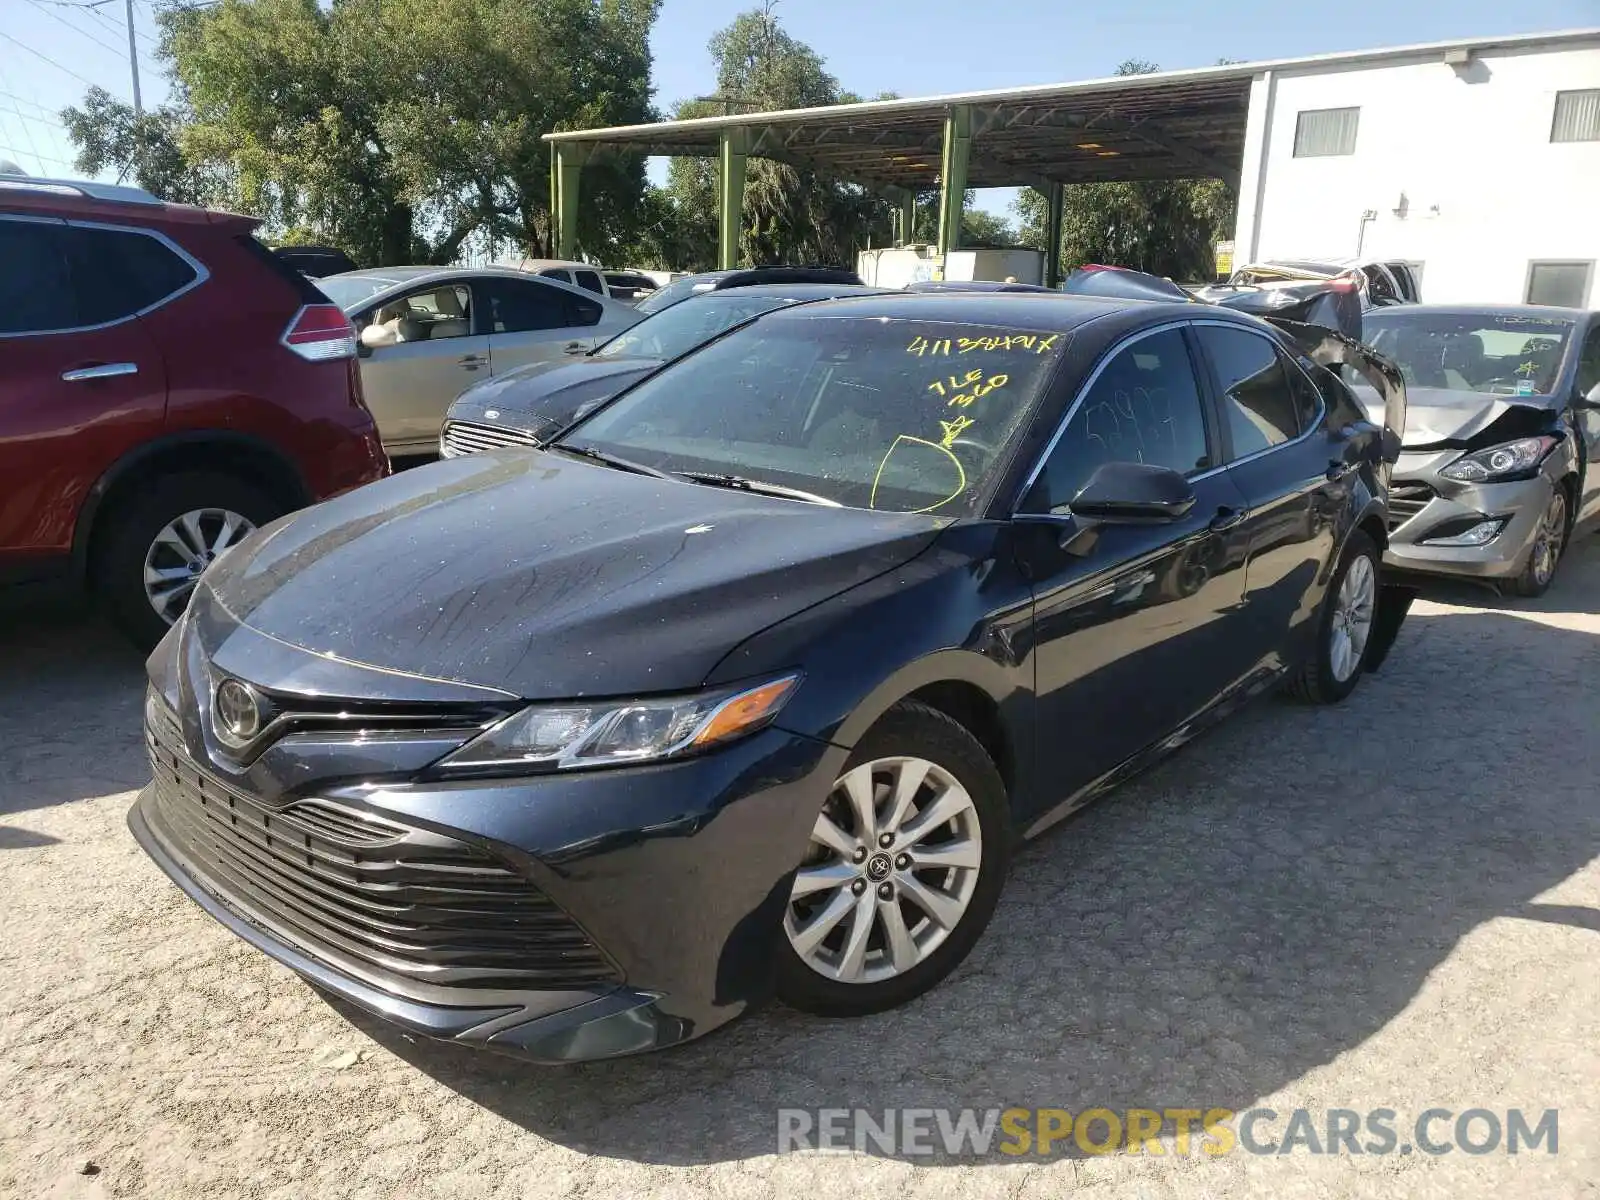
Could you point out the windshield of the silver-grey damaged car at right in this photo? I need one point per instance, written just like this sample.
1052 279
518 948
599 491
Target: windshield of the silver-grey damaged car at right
1502 354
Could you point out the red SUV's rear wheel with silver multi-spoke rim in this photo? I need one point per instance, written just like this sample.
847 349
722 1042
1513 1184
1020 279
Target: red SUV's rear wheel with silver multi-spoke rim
153 551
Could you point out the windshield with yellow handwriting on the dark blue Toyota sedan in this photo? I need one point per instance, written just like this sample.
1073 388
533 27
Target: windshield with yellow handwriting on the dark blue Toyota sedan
874 414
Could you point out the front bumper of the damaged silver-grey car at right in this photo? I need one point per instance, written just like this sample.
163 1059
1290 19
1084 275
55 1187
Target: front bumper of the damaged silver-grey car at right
1522 505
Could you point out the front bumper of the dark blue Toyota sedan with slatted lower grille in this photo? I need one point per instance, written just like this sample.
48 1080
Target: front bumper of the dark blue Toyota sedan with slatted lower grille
676 874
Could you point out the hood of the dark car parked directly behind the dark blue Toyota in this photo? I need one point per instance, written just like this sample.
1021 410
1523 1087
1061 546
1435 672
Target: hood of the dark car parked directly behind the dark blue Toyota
543 399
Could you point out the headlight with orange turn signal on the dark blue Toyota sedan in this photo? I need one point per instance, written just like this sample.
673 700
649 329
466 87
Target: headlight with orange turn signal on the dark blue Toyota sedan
623 732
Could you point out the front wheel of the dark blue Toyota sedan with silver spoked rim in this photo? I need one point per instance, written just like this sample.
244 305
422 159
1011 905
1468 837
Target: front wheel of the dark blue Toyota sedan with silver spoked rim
962 780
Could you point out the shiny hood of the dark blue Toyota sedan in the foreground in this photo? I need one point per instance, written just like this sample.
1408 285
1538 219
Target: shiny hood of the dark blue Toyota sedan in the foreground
545 577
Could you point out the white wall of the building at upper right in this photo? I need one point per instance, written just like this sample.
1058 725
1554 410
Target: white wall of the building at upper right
1470 151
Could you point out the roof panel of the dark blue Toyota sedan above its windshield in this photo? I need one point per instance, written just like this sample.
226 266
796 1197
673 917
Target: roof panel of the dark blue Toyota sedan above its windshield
1022 310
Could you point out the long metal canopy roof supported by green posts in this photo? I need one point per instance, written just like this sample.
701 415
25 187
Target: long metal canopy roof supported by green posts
1162 126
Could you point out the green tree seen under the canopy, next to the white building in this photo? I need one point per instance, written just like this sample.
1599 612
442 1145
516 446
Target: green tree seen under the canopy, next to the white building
1169 228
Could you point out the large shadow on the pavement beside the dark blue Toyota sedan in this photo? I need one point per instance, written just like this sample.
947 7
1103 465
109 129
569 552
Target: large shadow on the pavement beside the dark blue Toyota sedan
1257 906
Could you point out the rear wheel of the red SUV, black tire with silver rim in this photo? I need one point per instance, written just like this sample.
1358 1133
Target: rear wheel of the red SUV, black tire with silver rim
121 551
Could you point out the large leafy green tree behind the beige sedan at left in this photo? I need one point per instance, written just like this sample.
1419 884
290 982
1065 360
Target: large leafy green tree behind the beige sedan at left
394 129
